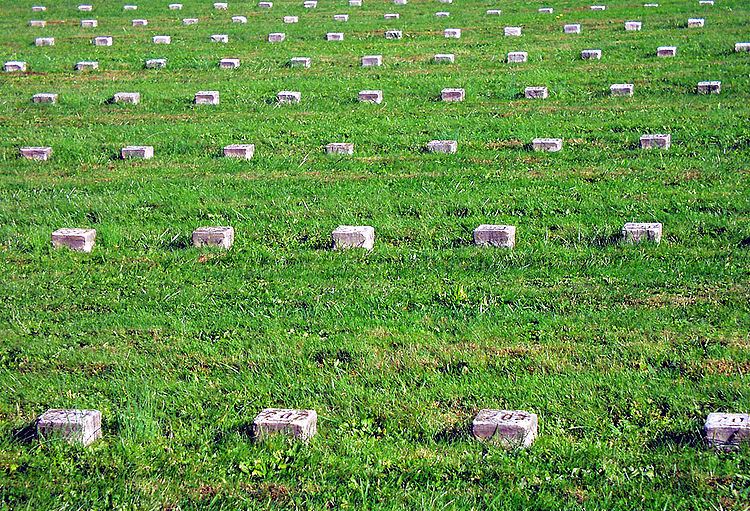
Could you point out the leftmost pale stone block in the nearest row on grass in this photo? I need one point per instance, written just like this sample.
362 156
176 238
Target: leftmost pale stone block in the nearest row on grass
73 426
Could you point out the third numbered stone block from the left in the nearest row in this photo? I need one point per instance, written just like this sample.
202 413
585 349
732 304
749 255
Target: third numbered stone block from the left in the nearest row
511 428
